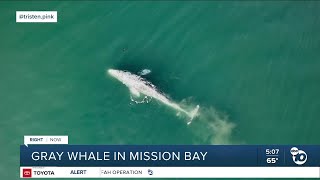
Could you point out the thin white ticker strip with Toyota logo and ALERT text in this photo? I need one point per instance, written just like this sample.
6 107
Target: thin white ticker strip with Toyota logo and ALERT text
169 172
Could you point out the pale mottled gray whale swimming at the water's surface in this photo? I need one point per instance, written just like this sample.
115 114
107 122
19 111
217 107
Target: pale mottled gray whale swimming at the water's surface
138 85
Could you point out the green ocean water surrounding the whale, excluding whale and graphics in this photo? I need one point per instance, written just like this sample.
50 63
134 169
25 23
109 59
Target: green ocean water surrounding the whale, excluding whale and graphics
253 67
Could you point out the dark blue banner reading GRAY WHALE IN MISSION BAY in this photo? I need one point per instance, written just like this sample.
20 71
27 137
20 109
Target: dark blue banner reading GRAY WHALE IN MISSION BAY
170 155
